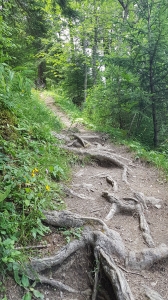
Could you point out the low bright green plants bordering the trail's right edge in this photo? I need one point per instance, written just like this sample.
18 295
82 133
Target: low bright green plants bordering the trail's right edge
92 117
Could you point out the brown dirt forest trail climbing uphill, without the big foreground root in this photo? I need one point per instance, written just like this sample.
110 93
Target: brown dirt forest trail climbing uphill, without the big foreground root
84 197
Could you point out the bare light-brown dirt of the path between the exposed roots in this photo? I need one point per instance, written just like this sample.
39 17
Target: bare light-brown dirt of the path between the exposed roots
86 199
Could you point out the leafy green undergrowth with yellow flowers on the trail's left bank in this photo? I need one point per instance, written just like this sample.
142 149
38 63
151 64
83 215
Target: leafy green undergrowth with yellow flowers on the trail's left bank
31 169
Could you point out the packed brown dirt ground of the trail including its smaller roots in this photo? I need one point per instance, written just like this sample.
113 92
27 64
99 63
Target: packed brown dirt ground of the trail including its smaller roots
112 189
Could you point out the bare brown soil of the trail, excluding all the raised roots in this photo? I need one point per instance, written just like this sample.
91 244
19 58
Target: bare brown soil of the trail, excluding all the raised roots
84 197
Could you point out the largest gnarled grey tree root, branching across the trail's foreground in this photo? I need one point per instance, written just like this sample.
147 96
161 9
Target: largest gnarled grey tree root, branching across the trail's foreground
108 248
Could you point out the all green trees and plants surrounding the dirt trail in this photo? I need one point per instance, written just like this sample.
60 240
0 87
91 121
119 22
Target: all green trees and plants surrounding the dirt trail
108 60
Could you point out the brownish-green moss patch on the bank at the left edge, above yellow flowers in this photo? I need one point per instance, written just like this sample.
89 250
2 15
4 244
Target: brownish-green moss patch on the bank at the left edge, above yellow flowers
7 123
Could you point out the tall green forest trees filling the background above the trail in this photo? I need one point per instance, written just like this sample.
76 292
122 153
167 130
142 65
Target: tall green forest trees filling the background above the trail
109 57
